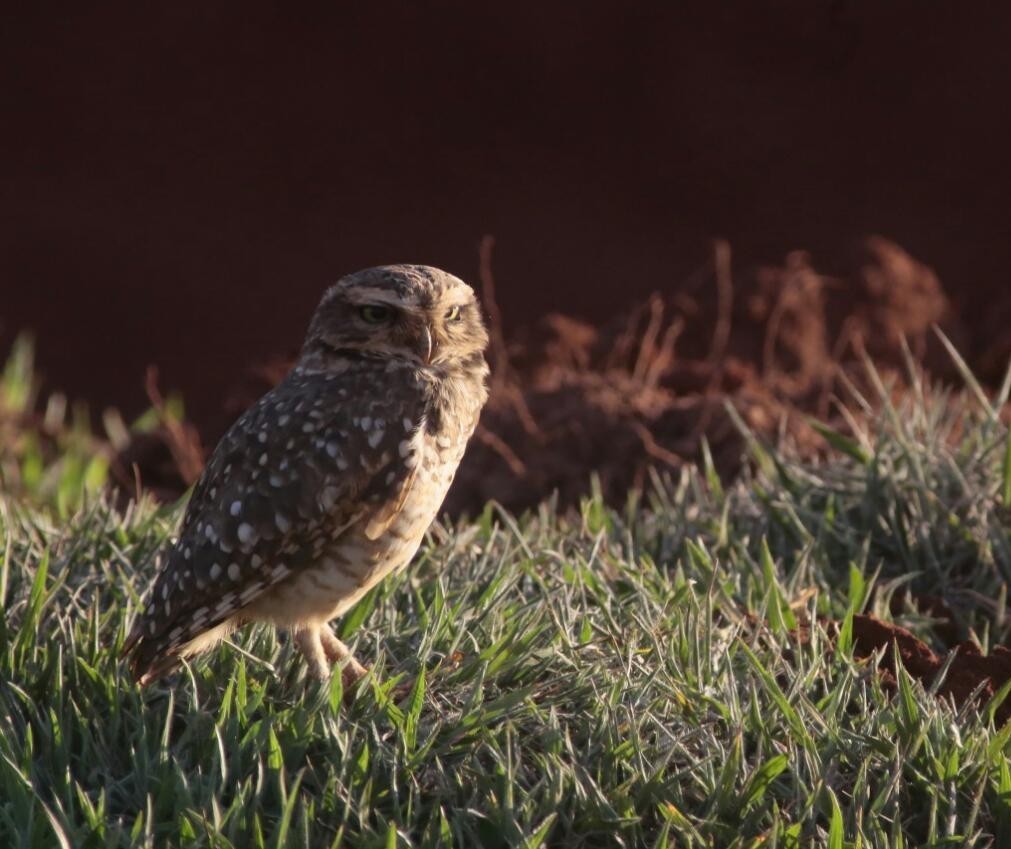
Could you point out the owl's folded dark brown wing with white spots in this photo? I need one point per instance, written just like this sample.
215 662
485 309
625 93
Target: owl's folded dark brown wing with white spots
319 453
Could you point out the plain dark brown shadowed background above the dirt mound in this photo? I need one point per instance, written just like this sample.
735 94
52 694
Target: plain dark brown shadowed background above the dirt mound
179 186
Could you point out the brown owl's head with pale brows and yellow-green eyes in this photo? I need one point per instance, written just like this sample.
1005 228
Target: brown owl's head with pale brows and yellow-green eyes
411 313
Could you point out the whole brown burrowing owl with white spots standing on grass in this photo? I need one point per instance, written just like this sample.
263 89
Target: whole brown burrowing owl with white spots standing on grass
328 484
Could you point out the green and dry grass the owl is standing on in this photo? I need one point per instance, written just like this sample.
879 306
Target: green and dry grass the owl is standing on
595 679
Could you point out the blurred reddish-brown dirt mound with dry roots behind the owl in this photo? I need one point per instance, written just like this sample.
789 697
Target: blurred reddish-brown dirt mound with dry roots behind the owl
570 400
